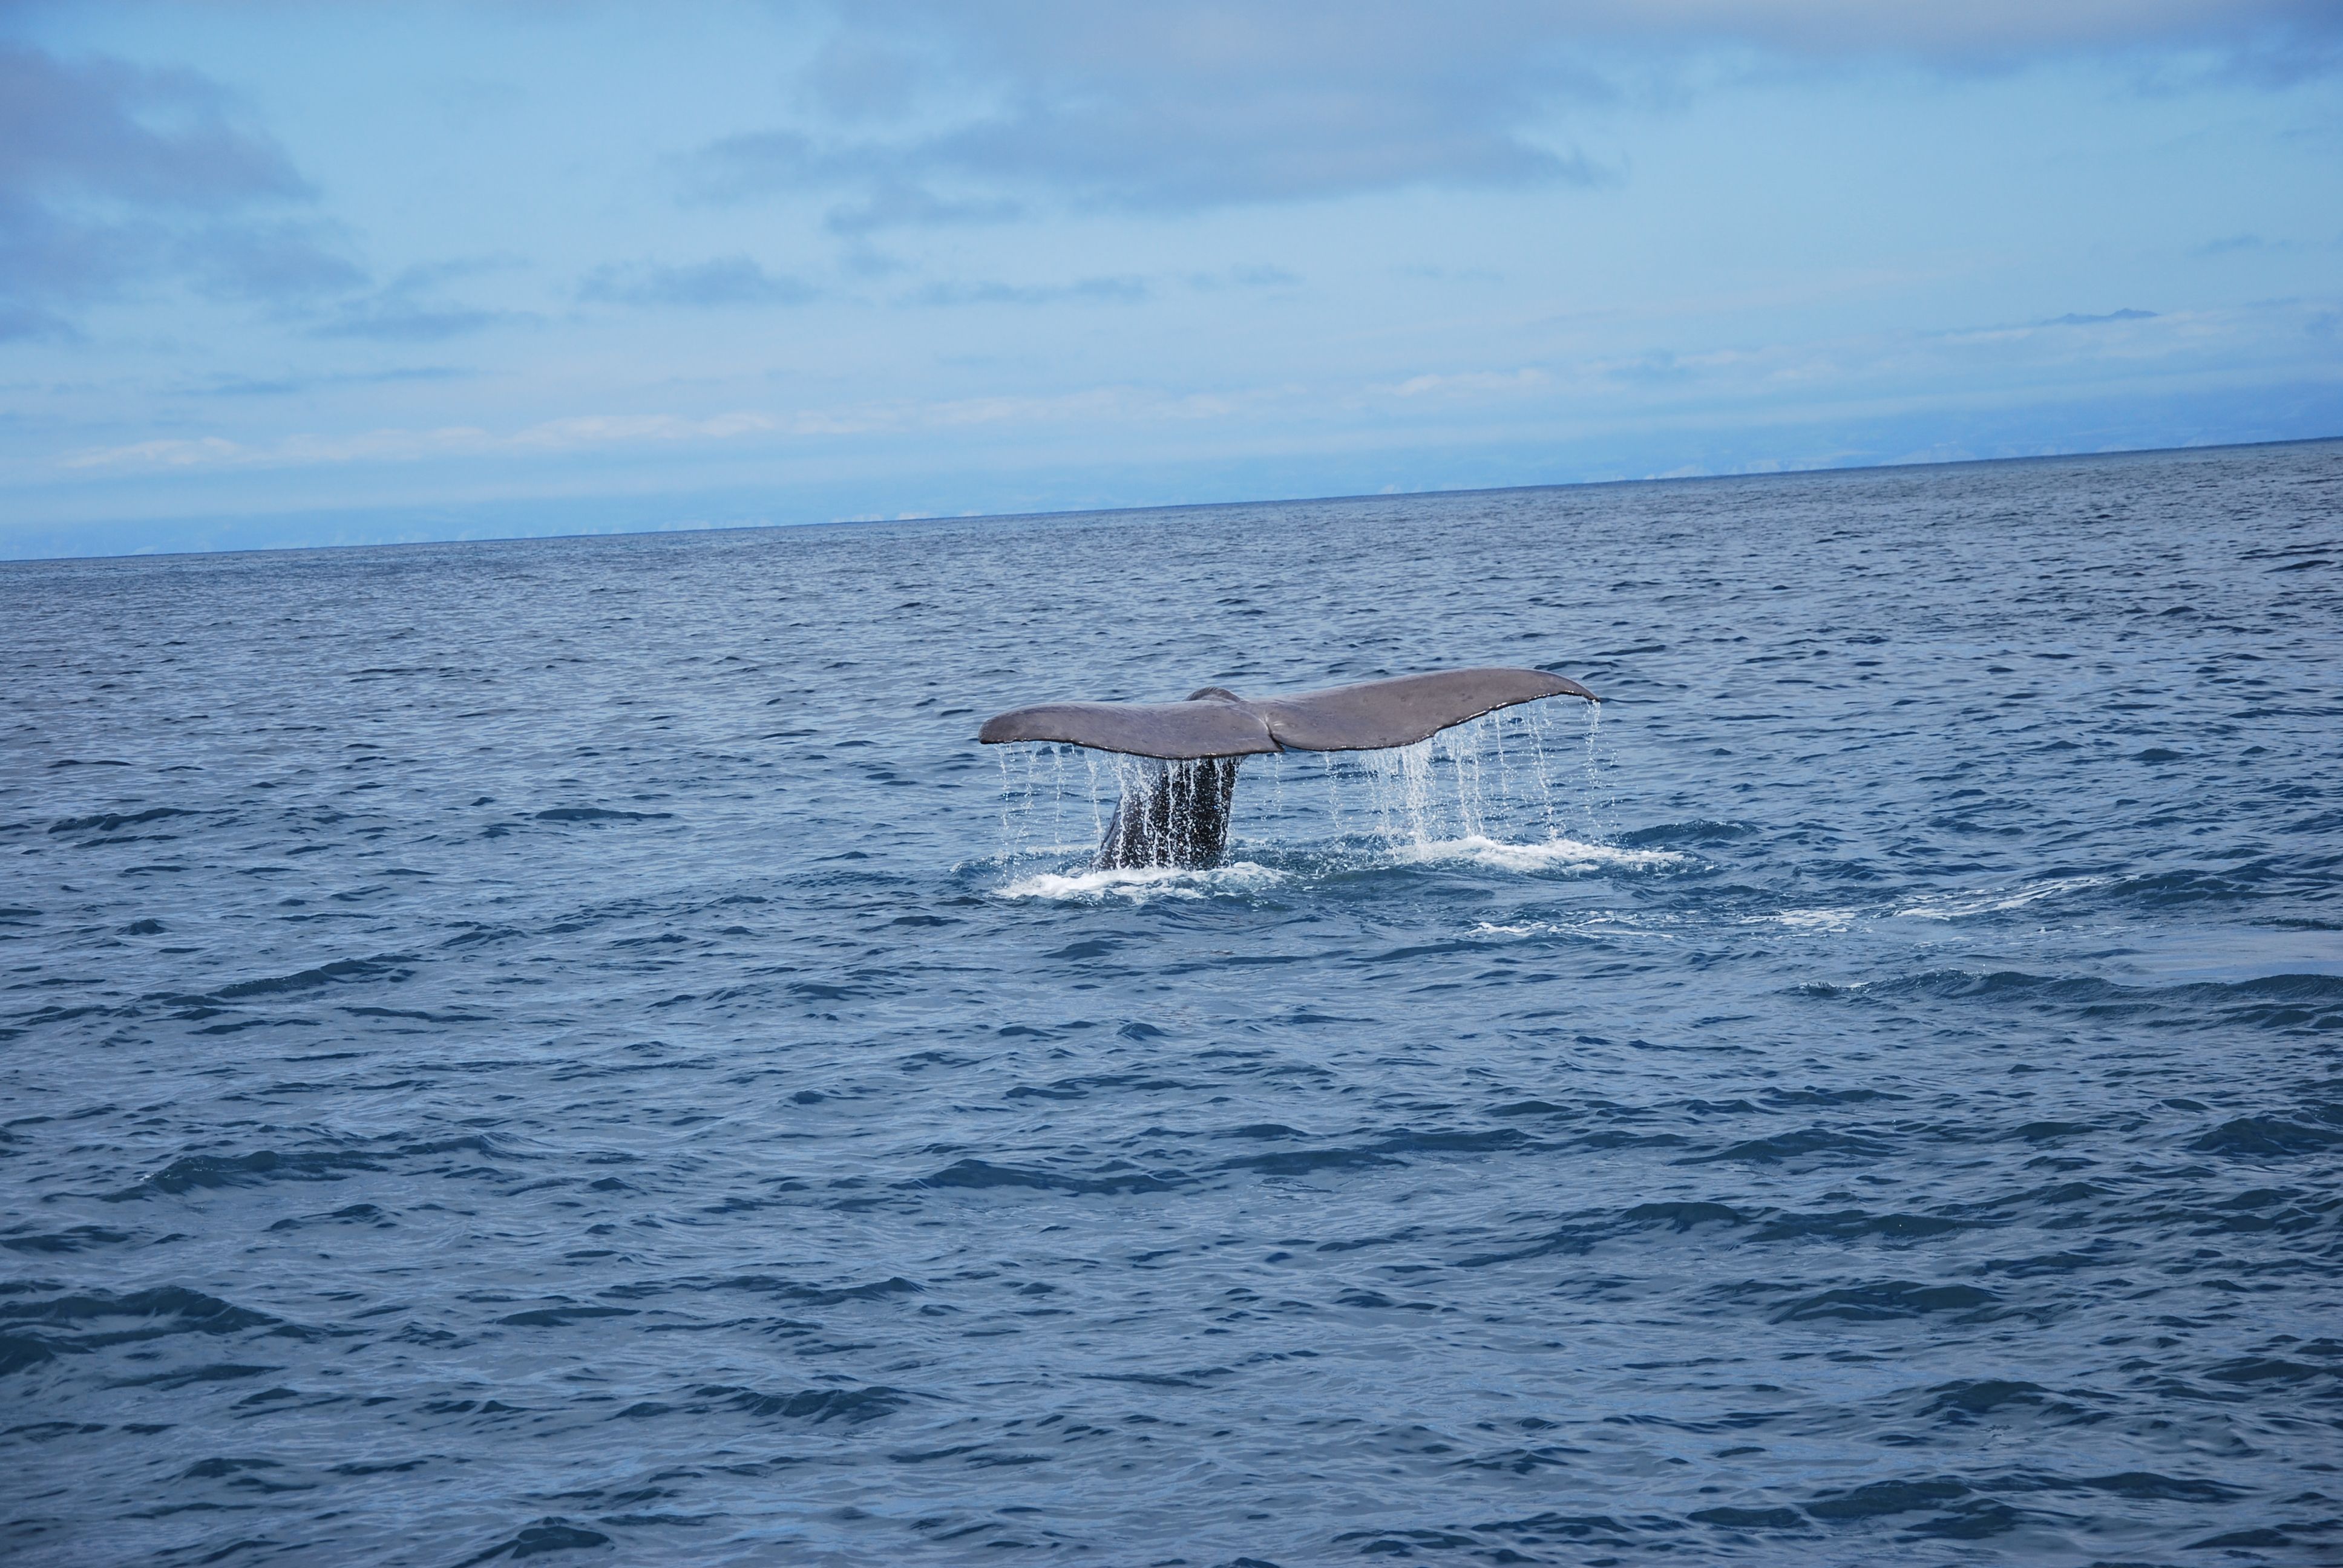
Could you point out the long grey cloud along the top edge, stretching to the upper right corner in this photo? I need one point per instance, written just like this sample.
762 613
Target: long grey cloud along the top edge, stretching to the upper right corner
988 111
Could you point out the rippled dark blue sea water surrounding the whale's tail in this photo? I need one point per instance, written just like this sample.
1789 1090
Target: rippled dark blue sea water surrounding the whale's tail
571 1049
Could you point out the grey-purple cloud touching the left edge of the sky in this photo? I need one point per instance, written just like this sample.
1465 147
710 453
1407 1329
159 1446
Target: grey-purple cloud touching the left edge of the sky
114 177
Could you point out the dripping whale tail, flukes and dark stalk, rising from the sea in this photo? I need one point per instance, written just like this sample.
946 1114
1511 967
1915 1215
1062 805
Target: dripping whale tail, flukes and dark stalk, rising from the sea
1180 812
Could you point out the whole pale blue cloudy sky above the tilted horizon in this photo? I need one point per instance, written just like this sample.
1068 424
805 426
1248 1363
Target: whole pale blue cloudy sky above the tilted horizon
280 275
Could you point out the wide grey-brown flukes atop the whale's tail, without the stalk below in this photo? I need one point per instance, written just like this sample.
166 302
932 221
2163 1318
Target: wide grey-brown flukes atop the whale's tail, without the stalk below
1217 723
